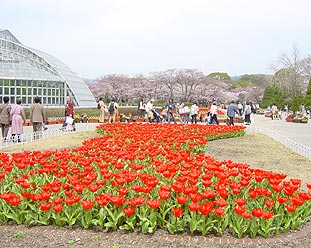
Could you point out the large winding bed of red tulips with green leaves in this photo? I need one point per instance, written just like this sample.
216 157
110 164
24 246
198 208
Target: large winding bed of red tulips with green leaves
149 176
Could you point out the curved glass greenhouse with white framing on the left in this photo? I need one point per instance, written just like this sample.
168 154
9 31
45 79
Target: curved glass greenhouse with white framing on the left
26 72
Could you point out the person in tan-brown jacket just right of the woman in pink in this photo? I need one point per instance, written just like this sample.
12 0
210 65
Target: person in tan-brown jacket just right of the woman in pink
37 117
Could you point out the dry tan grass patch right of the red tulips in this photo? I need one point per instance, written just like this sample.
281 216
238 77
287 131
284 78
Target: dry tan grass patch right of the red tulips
262 152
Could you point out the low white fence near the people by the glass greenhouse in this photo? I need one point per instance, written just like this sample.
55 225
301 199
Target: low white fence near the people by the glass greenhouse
51 132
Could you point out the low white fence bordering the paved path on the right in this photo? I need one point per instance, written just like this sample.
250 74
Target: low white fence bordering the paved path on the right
301 149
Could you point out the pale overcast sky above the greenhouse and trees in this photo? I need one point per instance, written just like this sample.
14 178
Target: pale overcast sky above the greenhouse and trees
99 37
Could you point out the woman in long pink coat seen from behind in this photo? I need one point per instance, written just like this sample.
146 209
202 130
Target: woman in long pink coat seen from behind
18 117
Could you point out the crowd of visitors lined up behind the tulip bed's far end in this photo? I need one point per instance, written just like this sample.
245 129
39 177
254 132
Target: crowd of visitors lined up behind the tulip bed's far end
185 114
